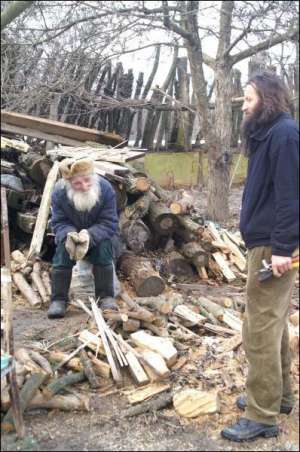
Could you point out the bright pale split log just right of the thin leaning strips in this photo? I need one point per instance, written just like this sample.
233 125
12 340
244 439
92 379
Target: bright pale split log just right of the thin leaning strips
162 346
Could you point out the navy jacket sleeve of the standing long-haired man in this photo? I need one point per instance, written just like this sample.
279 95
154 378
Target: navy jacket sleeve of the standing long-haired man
285 173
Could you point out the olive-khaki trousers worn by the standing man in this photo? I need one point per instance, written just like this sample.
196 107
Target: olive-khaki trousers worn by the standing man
266 340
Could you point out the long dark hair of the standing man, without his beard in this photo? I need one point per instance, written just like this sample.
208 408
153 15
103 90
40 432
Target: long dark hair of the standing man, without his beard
274 95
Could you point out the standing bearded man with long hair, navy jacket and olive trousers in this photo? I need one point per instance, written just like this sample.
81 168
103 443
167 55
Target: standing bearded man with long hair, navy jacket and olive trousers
269 225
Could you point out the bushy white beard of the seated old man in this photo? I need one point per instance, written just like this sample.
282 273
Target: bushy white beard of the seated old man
84 201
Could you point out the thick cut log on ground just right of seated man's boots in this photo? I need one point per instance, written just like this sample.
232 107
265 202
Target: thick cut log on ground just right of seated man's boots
143 277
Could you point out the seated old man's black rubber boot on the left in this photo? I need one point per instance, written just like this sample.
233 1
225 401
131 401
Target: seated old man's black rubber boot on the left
60 285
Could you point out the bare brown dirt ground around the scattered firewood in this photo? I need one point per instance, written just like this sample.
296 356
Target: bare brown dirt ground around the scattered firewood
102 429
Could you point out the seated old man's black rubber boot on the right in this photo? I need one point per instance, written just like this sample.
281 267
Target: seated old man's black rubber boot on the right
104 286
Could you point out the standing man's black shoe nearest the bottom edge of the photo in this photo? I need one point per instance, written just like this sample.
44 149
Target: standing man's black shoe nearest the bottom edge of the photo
246 430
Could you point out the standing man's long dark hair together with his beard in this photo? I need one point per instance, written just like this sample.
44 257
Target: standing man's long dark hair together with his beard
274 99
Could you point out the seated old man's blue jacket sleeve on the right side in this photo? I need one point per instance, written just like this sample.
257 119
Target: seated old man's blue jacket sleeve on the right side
107 222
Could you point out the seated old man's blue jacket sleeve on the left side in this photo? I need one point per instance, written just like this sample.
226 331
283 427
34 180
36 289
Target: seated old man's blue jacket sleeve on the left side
60 224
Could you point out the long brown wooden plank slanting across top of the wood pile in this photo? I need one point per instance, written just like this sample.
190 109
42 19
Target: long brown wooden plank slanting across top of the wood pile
51 126
